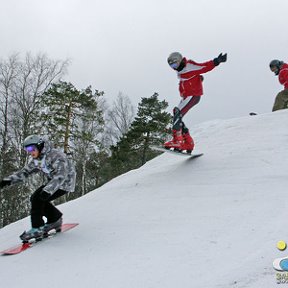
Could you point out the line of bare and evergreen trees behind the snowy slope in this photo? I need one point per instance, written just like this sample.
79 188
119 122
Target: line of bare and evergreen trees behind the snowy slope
103 141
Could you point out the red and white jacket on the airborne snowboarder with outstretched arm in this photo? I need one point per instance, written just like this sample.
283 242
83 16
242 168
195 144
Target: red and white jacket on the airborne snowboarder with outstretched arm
190 77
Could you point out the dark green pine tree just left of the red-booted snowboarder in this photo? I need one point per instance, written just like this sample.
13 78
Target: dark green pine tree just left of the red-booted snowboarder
149 127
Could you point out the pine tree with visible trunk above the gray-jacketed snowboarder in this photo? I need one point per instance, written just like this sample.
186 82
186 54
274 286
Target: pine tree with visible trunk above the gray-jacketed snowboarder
64 108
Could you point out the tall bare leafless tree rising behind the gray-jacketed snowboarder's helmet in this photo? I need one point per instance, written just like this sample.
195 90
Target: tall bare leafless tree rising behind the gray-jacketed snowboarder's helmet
34 77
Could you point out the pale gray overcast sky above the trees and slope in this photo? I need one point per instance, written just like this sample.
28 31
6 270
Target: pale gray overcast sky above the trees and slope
122 46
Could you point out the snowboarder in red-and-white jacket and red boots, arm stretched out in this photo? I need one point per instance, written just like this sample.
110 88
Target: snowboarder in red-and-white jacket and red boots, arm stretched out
190 88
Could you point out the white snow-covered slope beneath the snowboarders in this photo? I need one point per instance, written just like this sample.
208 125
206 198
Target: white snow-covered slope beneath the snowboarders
209 222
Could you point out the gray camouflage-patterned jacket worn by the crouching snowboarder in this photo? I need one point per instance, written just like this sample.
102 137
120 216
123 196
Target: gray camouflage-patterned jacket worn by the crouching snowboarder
59 170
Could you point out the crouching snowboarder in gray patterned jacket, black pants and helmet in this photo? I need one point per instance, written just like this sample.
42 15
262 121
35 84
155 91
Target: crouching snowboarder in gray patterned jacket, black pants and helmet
60 174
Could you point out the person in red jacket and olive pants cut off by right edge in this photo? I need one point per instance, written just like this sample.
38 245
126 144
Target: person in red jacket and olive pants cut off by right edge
280 69
